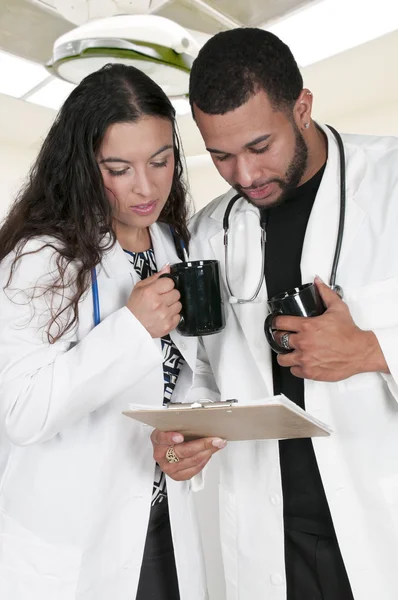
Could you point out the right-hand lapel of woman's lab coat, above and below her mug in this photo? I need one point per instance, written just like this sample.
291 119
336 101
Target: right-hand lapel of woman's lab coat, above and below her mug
165 252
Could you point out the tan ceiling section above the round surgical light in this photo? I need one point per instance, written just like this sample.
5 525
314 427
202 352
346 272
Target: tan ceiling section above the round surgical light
28 28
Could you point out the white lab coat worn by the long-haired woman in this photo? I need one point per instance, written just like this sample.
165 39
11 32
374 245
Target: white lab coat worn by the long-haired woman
76 475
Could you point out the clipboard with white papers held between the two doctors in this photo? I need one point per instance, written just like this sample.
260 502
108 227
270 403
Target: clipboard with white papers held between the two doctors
276 417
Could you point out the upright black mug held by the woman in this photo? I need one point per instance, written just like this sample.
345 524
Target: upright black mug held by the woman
202 307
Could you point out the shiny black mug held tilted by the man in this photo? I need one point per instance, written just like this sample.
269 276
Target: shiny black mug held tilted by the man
302 301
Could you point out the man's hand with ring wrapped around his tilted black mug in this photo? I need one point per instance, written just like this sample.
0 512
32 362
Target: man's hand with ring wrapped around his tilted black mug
329 347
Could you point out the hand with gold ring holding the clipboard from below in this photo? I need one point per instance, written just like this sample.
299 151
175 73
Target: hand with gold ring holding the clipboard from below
193 456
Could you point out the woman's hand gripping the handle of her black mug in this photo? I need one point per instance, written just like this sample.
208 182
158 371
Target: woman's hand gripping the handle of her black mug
156 304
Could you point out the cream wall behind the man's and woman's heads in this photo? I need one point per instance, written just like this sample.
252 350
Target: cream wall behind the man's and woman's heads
356 80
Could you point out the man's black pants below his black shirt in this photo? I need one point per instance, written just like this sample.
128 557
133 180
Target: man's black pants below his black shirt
314 568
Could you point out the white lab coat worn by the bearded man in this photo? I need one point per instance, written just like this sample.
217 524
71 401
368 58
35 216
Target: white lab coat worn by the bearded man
359 461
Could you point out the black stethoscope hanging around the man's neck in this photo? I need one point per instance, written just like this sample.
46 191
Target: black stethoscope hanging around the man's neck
332 282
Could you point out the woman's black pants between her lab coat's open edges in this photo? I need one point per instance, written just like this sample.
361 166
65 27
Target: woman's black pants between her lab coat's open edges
158 577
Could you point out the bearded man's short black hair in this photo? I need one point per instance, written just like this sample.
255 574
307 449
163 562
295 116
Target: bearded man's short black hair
233 65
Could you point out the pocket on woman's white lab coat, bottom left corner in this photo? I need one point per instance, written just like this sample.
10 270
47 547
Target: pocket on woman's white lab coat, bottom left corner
31 569
